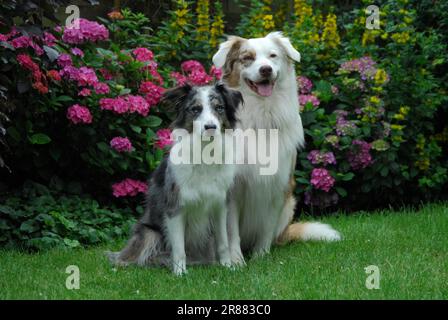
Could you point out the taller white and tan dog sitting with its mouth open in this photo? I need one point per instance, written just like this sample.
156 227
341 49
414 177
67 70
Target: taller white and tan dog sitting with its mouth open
261 207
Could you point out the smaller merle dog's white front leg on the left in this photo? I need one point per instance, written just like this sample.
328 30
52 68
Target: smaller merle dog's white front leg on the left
176 234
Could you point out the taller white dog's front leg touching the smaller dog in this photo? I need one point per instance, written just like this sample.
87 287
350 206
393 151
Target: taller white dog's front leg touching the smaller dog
233 224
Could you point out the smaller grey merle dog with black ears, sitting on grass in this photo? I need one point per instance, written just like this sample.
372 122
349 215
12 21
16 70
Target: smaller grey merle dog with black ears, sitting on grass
185 216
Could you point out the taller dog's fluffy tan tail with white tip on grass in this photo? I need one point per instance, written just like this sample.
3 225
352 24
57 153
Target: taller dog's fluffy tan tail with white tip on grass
306 231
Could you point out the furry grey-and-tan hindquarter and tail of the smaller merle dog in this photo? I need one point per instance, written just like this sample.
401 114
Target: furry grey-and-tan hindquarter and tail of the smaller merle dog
142 249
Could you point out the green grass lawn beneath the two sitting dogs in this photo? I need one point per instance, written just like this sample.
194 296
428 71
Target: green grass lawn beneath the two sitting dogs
410 249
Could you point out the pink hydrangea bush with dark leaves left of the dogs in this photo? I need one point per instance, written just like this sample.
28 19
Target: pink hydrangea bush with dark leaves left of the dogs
100 102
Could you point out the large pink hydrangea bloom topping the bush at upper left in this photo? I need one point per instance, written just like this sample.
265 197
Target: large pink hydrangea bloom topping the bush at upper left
83 30
